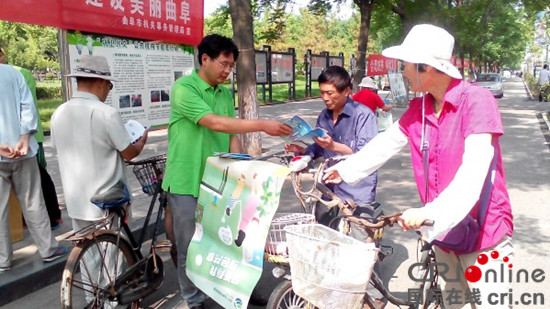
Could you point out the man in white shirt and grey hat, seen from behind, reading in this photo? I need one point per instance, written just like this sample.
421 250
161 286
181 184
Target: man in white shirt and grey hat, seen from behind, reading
91 141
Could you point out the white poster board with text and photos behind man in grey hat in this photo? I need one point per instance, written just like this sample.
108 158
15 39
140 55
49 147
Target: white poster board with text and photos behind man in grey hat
145 72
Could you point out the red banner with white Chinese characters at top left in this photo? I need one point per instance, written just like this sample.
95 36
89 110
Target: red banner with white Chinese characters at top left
176 21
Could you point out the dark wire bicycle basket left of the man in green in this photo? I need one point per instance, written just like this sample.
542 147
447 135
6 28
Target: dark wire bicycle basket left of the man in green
149 171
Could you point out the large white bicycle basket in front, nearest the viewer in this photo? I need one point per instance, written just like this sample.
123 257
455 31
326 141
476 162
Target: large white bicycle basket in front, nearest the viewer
329 269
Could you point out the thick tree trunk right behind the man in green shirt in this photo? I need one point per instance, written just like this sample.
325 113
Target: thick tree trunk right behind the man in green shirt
241 19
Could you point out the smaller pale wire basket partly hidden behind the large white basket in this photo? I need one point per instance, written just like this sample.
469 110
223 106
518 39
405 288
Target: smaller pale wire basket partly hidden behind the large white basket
276 239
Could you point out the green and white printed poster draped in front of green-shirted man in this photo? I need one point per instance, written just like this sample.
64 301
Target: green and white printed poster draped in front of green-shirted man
236 204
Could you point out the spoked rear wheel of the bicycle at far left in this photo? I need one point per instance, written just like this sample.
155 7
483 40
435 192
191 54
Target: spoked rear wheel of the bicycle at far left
92 268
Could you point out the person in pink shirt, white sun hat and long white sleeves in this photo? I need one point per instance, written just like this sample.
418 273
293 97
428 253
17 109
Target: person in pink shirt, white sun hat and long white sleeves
453 132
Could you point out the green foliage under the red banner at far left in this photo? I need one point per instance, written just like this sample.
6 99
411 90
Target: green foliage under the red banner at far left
29 46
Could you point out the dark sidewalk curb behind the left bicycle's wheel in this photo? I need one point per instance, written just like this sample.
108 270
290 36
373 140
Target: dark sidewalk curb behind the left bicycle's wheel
36 275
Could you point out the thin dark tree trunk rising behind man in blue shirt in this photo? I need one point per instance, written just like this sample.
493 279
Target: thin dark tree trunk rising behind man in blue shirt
365 9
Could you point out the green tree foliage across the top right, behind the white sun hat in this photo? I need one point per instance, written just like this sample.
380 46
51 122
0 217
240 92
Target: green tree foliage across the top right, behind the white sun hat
492 33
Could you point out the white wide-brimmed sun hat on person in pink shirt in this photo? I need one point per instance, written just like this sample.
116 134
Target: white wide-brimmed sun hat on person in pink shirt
429 45
